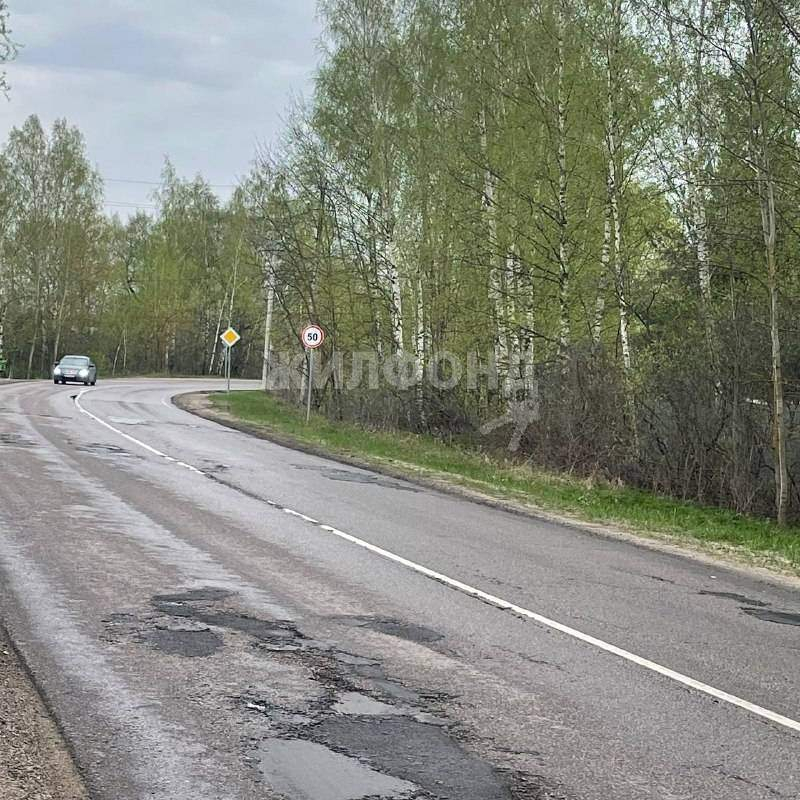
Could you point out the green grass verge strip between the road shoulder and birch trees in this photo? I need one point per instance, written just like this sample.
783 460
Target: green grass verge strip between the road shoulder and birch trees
752 539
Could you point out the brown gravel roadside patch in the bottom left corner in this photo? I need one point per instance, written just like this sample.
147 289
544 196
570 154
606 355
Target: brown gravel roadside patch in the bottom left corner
34 761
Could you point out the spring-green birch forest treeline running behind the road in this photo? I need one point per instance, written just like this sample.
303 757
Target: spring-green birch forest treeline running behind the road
598 198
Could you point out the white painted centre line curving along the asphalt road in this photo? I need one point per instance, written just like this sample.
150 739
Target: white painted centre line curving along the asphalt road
491 599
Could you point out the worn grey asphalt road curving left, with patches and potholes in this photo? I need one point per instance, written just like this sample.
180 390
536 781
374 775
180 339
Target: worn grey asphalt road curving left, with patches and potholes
205 618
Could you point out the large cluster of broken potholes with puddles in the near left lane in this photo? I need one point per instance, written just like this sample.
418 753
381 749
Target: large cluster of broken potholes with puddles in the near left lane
359 734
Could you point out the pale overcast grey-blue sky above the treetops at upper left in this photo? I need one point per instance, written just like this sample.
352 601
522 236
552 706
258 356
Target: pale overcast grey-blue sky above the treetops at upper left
202 81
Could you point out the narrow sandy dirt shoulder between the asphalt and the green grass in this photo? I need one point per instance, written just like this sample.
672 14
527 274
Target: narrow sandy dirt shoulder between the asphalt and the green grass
714 555
